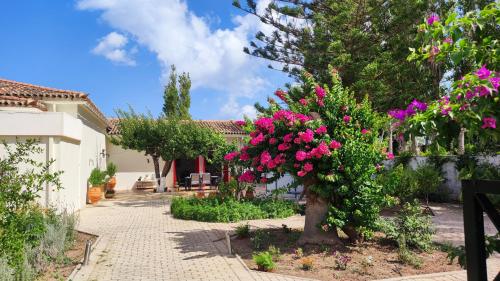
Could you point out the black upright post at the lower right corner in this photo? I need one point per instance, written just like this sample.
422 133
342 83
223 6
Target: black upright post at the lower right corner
474 234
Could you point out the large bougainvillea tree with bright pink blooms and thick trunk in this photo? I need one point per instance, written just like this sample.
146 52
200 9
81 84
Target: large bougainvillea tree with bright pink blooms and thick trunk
329 143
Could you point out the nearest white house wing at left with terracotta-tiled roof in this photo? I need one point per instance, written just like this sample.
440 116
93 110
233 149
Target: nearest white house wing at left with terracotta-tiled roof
70 128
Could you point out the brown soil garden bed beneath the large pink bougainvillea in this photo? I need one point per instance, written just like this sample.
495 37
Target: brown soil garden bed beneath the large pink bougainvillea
371 260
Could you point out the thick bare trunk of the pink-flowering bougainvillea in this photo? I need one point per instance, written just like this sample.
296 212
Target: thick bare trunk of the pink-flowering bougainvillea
316 210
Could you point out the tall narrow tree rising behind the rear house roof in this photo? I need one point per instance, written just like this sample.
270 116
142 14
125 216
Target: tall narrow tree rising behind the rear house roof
177 100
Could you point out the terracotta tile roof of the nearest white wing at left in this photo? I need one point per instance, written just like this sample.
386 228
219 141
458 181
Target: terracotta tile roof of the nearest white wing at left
10 90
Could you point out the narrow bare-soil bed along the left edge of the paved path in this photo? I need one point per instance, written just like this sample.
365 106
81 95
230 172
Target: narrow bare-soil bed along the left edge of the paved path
61 270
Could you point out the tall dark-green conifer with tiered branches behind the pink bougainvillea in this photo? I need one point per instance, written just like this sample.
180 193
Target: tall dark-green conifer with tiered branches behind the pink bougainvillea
367 41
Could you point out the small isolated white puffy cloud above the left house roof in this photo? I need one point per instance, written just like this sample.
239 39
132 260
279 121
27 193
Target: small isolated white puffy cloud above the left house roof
112 46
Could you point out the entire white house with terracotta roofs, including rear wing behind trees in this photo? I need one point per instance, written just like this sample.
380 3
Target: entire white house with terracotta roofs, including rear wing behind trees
75 133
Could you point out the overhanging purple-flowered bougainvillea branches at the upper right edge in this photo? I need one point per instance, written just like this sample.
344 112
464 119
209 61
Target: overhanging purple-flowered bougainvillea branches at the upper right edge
472 102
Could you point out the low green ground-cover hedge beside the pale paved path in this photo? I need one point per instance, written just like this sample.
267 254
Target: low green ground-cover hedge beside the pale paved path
230 210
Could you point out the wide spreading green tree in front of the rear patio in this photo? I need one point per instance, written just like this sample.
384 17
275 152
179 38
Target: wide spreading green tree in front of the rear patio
167 139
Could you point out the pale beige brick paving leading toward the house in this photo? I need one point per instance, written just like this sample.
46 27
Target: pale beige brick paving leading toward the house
139 240
